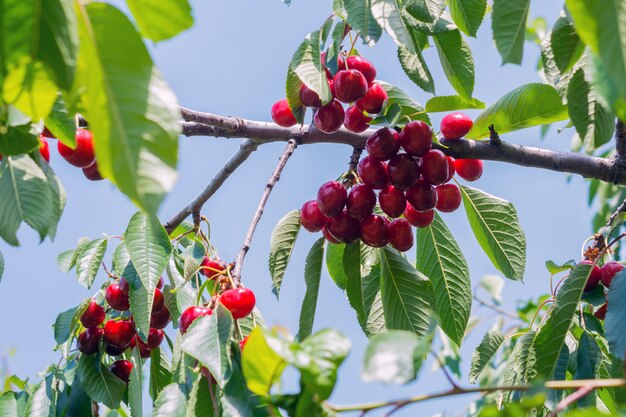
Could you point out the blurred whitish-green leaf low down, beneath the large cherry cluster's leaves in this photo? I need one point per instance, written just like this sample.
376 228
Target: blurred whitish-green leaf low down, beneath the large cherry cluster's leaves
394 357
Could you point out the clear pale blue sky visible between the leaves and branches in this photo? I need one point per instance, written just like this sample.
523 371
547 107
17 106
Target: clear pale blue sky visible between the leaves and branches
233 62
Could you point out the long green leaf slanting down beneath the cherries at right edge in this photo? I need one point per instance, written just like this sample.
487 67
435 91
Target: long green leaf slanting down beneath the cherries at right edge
551 336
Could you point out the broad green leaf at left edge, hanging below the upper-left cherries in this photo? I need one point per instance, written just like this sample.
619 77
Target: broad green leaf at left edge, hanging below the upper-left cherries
25 197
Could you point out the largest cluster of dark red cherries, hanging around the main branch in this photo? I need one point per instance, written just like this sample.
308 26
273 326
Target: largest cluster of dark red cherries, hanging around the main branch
411 184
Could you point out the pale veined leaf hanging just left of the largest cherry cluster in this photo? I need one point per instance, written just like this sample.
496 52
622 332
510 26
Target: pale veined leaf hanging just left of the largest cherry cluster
281 245
